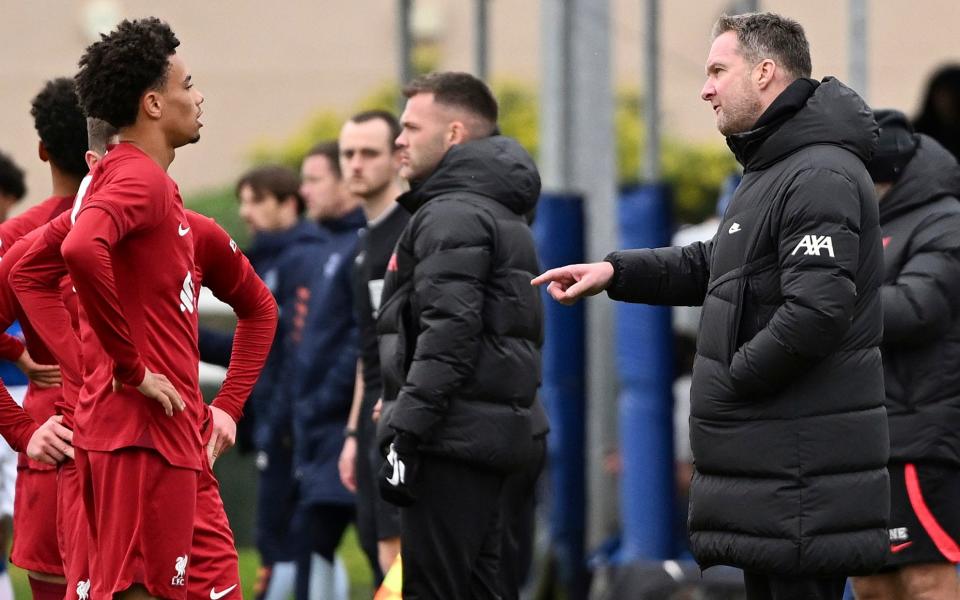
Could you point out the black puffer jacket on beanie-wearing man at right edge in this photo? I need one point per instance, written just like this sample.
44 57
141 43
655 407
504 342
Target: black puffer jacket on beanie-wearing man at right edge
920 217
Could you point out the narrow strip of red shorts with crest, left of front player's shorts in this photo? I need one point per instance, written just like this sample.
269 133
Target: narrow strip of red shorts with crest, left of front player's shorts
73 532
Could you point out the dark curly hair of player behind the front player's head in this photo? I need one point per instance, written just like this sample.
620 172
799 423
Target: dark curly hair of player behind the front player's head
61 125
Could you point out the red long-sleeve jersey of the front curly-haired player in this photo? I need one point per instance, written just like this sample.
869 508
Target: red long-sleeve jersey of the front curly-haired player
130 256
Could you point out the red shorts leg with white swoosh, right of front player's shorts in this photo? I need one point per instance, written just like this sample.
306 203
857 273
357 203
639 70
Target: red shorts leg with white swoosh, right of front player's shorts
214 567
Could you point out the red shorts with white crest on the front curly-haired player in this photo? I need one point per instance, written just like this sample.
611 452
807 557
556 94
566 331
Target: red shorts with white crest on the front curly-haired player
141 512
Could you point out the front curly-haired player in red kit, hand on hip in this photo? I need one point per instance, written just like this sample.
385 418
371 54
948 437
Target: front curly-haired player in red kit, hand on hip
130 256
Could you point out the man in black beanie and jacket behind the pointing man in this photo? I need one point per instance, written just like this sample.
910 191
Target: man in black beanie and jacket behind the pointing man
918 184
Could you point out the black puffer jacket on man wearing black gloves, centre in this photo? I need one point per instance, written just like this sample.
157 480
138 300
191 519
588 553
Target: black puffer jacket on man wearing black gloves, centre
460 326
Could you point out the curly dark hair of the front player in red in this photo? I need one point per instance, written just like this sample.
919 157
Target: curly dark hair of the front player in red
116 71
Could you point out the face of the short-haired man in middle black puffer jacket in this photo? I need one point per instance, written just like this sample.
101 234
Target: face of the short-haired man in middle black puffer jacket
427 135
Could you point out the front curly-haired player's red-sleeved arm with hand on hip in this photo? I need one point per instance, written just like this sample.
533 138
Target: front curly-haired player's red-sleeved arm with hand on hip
86 249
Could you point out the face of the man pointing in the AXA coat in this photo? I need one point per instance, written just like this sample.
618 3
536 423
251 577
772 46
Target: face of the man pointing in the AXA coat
730 88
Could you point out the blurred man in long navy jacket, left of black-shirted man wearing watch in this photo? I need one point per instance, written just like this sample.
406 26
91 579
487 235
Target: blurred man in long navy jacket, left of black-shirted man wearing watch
323 373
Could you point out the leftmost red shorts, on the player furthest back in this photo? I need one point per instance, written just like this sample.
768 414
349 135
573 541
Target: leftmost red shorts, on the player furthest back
35 545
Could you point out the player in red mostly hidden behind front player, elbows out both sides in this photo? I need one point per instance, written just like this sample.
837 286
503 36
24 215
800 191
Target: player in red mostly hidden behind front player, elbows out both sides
222 268
